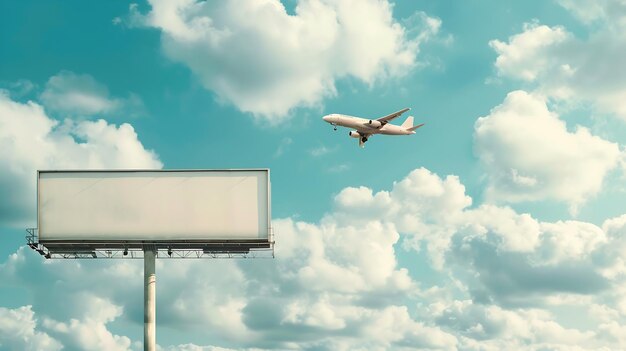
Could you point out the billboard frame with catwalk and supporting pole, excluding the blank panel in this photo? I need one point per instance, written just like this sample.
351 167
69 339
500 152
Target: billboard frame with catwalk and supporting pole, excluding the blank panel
149 250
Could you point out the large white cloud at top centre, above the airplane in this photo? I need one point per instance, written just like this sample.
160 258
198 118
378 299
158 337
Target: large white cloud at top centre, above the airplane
271 62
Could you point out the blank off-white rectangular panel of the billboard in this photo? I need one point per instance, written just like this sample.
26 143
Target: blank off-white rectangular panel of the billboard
153 205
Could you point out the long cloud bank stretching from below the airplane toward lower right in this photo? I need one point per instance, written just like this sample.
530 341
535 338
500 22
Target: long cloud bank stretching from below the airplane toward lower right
502 257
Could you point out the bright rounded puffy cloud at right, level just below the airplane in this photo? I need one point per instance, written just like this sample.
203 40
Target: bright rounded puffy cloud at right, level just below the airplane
530 155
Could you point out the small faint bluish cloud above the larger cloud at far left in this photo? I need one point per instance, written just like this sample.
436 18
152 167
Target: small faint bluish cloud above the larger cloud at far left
74 94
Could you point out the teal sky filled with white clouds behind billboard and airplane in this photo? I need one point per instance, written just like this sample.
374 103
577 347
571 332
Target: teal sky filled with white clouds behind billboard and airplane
499 225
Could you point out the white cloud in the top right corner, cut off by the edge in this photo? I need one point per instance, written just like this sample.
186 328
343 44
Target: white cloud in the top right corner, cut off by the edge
569 69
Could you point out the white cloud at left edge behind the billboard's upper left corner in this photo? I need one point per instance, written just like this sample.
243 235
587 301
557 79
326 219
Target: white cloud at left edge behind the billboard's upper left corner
31 140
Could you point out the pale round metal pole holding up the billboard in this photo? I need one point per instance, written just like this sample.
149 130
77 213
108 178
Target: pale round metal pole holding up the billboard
149 301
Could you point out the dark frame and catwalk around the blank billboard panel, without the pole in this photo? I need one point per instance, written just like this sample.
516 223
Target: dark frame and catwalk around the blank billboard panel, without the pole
236 248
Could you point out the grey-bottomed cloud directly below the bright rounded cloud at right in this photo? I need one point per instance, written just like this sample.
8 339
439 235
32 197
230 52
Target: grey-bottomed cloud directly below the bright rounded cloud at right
501 263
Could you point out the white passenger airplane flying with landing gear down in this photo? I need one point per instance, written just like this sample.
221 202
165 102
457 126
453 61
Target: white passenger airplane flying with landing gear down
367 127
